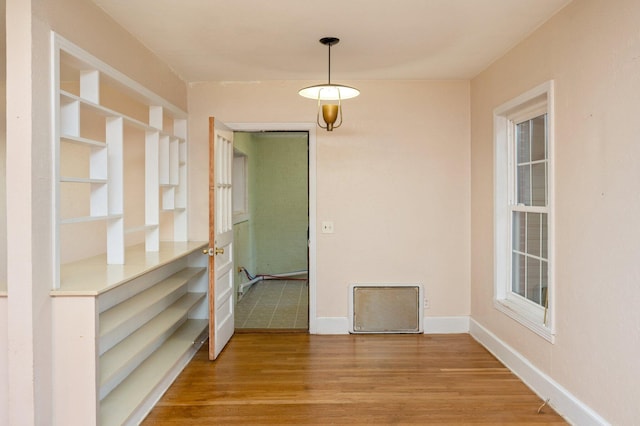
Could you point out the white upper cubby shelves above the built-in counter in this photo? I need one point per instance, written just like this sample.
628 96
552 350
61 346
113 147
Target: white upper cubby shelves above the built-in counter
94 133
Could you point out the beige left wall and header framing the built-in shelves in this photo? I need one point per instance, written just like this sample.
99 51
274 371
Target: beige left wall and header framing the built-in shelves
29 174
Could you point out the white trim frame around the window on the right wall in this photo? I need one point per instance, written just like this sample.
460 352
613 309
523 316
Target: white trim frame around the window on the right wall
528 105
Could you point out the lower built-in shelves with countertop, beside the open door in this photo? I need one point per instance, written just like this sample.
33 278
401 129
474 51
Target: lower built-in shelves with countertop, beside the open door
123 332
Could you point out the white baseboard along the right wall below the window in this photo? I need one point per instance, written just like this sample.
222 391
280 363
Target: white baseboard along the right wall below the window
566 404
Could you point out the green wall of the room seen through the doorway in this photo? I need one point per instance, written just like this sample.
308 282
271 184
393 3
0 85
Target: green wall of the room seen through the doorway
274 238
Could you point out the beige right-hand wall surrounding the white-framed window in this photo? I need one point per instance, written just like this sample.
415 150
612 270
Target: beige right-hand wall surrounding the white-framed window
591 49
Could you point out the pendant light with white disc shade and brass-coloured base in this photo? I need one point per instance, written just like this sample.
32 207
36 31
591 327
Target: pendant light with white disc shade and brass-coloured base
329 95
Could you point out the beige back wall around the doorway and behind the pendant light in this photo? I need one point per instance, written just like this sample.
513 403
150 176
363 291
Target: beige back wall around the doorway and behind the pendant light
394 179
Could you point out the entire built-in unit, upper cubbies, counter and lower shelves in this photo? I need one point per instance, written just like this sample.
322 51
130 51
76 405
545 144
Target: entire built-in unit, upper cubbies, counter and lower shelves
130 304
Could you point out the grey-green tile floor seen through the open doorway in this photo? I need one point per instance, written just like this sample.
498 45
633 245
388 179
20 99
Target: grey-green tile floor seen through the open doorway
274 304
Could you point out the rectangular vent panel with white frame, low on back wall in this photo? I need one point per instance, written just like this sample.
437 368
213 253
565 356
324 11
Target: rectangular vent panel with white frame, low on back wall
385 308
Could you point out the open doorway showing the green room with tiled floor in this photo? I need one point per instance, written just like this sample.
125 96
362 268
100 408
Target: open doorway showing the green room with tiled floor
271 230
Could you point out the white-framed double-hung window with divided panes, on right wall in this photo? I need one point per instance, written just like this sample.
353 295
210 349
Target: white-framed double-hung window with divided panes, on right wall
524 209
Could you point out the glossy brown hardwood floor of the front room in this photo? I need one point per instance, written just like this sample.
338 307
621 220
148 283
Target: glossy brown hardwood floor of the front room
349 379
